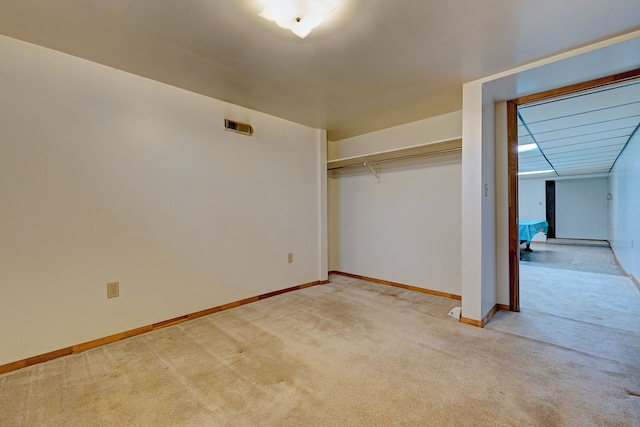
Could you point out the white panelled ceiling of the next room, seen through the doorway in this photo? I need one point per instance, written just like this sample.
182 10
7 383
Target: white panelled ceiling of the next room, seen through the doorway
581 133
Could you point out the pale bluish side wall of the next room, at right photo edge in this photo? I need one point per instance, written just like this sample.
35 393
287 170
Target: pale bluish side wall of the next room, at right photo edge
624 207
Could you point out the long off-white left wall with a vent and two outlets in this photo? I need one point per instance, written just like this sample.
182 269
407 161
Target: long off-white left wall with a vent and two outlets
106 176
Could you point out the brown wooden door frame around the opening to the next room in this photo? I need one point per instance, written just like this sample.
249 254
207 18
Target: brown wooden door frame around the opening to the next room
512 144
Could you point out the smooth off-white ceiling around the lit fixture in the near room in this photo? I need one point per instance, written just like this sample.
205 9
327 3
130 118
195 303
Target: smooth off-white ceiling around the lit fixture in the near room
372 65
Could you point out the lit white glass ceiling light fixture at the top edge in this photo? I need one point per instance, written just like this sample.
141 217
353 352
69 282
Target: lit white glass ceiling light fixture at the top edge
299 16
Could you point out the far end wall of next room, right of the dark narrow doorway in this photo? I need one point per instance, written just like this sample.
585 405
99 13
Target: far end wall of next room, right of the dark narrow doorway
582 208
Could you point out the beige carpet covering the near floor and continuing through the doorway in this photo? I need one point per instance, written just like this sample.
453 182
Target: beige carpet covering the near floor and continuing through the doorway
354 353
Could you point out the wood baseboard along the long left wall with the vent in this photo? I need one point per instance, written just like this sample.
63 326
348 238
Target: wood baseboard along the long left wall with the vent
79 348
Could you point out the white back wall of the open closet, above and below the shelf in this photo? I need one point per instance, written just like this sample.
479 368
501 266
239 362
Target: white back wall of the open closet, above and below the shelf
406 228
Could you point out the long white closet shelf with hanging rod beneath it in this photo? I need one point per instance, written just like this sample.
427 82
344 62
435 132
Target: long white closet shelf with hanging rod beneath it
443 148
